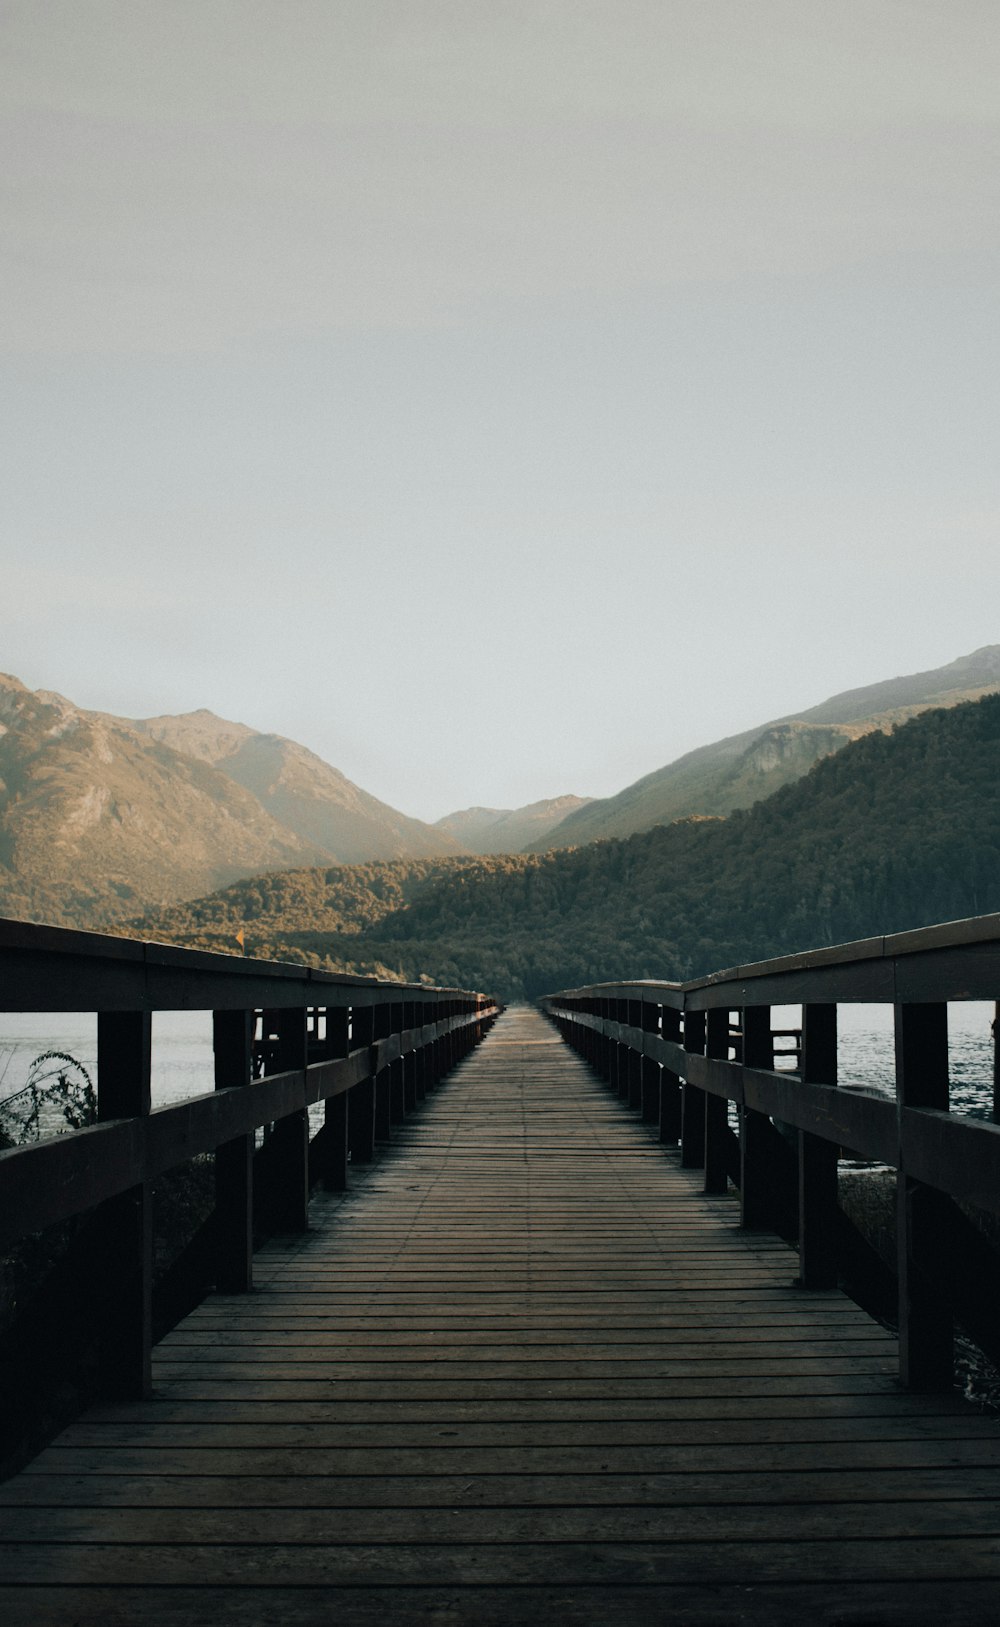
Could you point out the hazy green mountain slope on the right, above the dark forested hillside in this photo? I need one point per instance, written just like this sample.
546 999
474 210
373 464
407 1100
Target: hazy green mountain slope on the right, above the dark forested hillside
744 769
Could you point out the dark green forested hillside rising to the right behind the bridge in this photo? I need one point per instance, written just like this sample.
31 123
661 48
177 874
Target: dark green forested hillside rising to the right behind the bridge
893 832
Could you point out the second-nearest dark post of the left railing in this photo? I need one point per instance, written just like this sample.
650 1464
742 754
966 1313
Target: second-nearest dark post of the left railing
233 1047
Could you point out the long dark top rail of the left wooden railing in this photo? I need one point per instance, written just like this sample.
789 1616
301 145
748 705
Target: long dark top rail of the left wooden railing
58 969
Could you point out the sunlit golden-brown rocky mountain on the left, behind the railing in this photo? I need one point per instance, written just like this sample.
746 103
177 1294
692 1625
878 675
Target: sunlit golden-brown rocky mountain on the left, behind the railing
105 816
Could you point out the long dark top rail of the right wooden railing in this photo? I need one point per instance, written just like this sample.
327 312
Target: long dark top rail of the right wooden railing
920 966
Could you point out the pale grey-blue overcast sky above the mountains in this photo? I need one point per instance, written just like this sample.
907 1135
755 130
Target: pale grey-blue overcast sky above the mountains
505 398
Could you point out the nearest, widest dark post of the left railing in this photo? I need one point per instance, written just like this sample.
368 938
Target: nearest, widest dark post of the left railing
124 1055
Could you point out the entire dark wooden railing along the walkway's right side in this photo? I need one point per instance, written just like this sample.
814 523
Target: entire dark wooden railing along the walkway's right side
684 1052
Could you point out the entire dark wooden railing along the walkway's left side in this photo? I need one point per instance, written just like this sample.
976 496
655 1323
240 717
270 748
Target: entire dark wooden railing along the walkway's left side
285 1039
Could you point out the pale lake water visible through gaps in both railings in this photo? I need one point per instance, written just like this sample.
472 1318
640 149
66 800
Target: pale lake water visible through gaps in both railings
183 1063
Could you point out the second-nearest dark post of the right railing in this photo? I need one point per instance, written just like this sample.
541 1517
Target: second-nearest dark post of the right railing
819 1158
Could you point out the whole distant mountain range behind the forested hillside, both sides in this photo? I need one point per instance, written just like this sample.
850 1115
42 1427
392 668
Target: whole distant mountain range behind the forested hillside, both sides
105 818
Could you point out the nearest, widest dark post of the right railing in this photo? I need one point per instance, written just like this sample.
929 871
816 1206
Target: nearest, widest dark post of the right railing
926 1327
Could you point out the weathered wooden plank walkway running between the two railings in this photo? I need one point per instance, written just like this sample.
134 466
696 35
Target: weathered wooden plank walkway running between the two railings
524 1372
